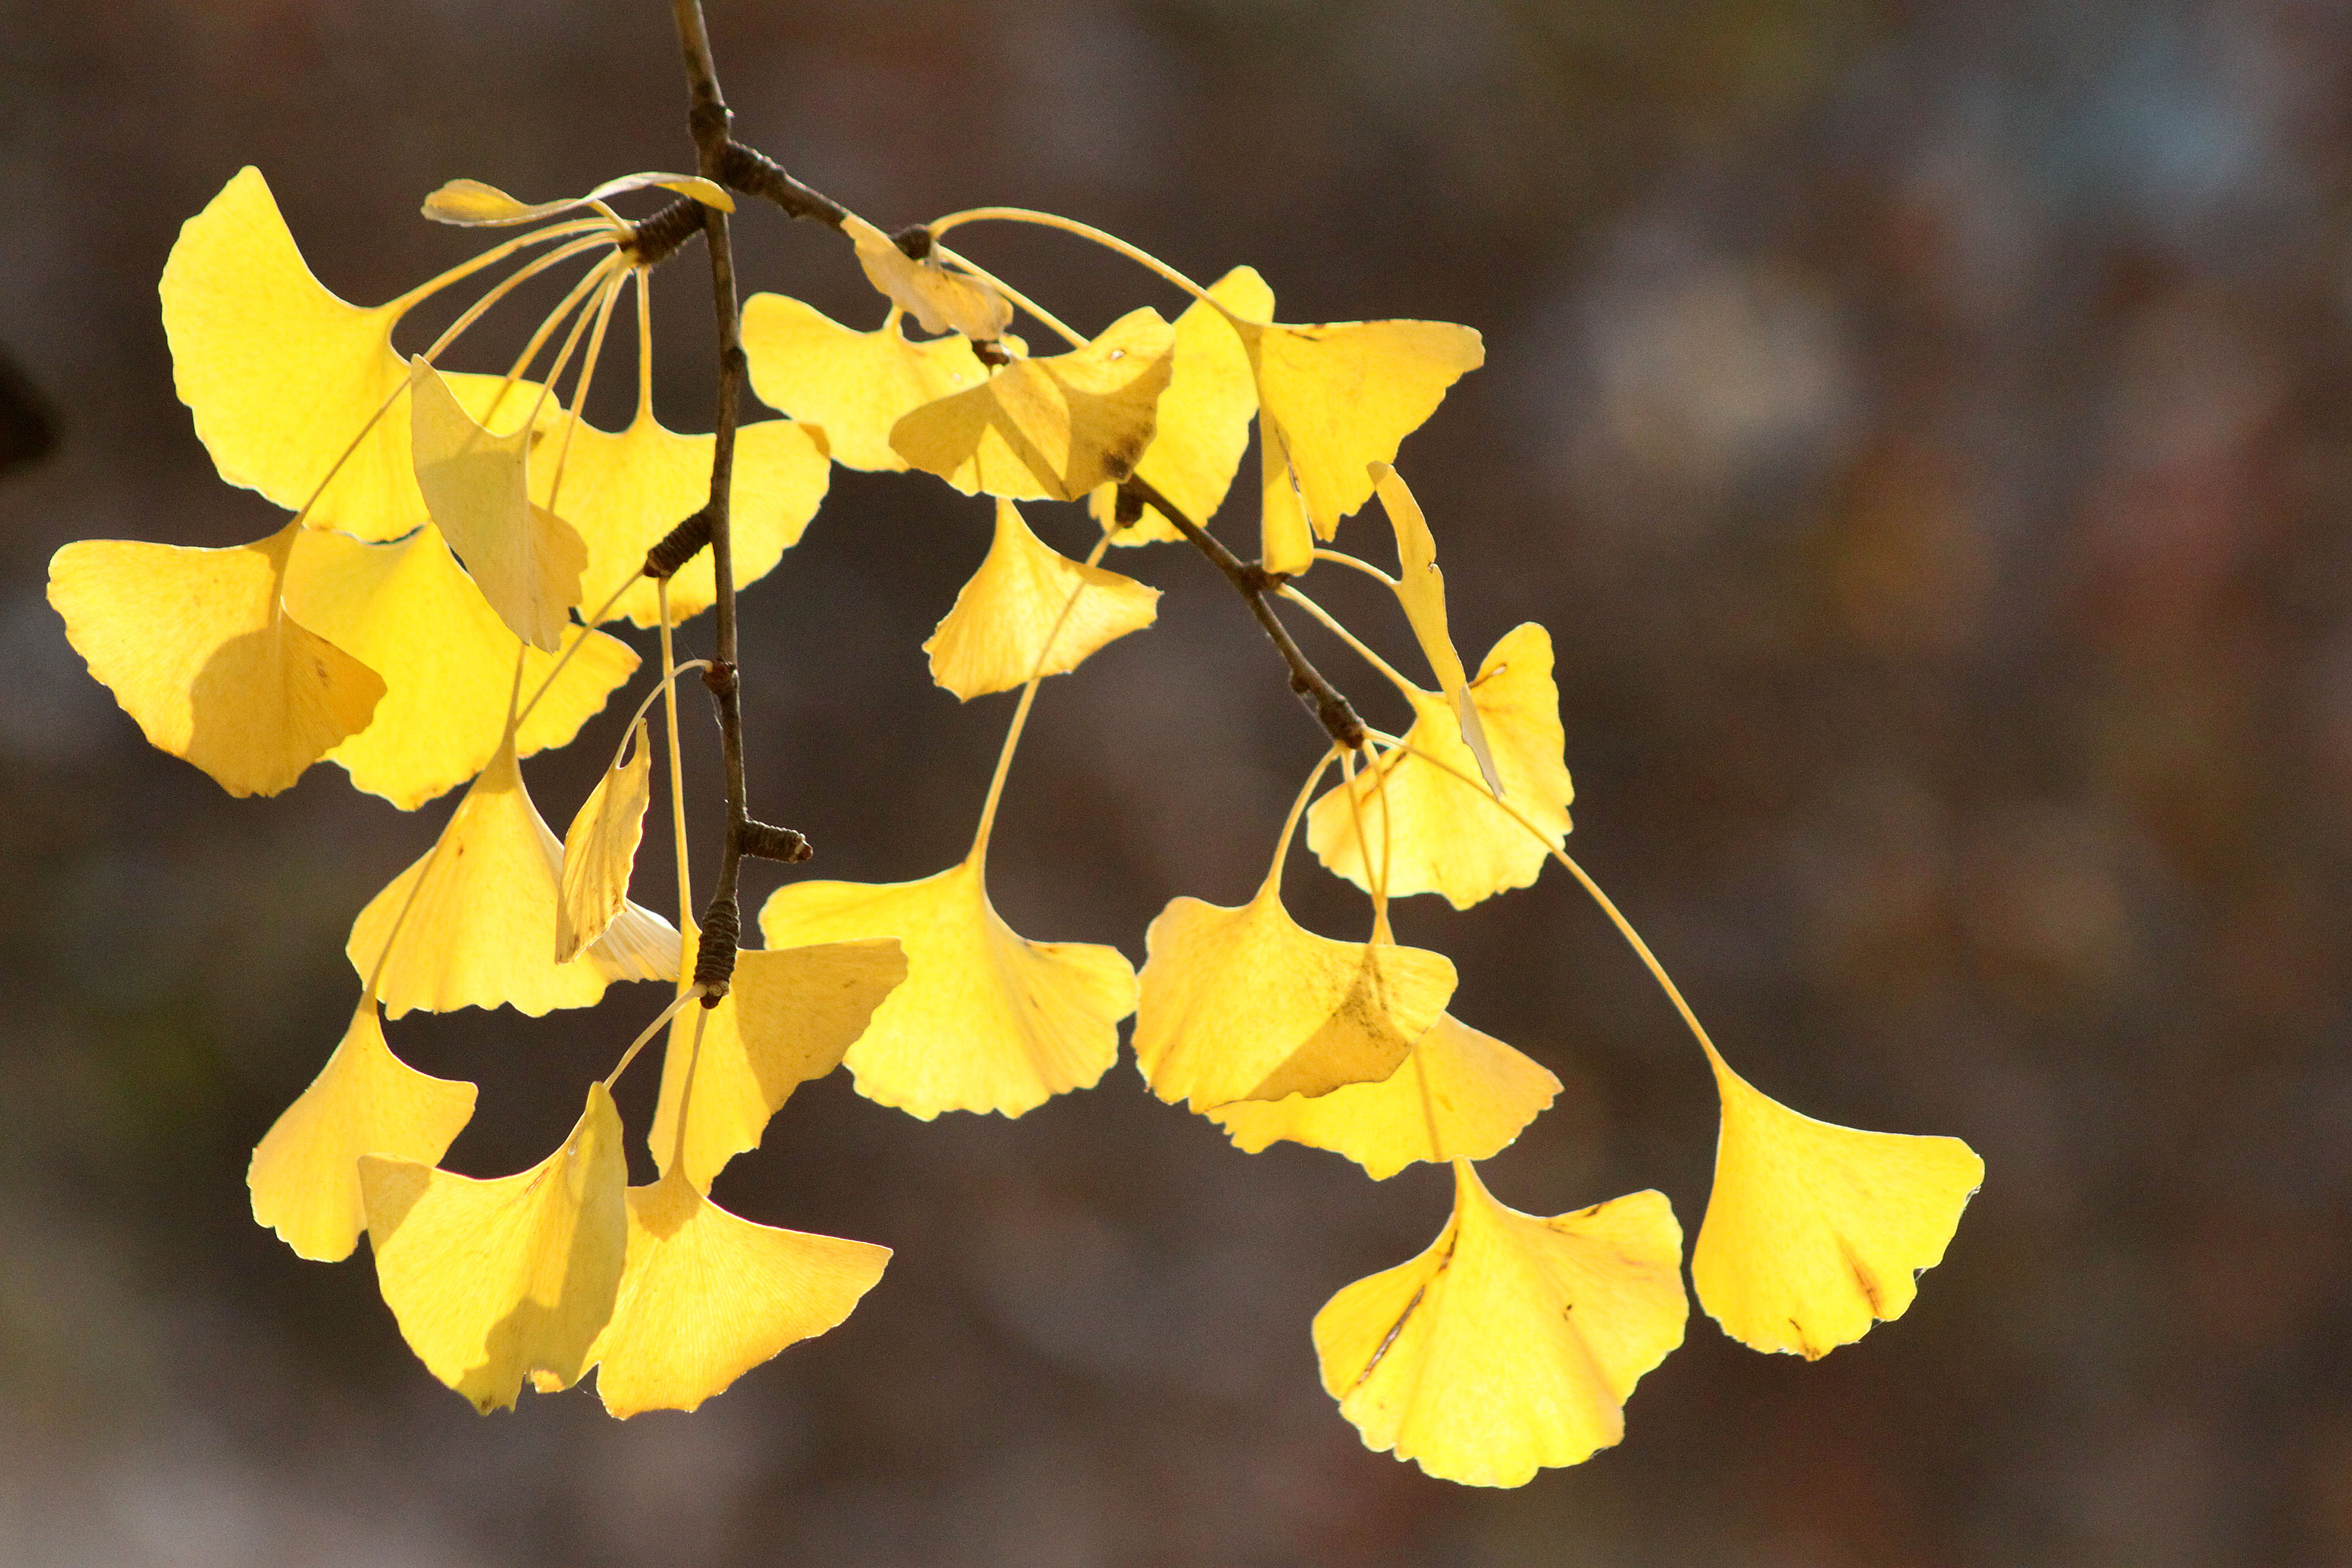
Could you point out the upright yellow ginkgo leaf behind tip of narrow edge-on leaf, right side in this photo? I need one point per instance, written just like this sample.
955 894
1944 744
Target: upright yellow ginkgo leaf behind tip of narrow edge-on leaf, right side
1438 826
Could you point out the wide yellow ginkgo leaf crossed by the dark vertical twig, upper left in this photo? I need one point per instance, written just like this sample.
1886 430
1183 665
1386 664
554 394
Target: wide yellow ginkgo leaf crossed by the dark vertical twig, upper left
624 490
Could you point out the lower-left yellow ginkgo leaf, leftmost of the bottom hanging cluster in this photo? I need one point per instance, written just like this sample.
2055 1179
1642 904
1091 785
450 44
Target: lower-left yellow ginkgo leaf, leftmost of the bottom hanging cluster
366 1101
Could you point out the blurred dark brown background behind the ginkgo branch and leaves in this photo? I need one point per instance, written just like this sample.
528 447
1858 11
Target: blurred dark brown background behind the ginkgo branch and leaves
1927 434
